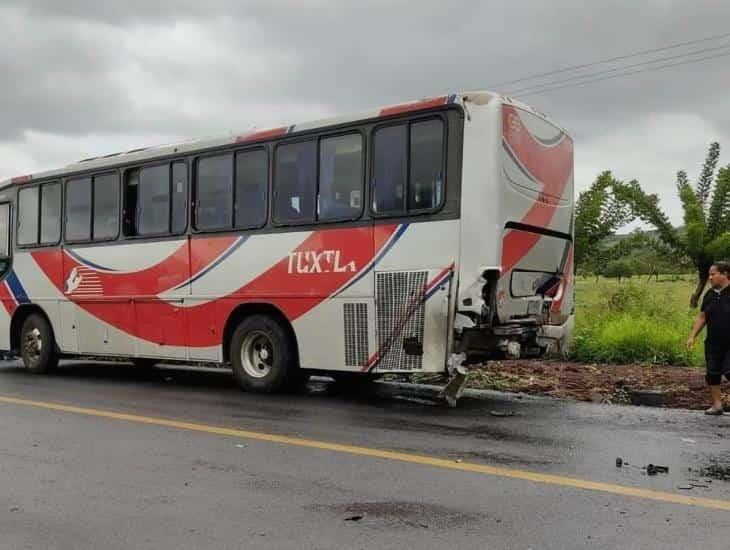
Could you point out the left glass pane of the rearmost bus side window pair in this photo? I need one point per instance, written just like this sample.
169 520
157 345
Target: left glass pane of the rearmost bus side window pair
390 166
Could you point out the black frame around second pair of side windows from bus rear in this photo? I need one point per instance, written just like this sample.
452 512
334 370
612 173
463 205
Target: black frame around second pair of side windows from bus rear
318 137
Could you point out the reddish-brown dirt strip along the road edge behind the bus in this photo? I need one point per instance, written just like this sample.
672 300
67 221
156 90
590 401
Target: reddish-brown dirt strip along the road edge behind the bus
685 386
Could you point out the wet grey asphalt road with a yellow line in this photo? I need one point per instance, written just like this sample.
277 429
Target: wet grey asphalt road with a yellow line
105 456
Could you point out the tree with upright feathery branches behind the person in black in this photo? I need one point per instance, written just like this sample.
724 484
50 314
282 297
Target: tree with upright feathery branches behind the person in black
706 235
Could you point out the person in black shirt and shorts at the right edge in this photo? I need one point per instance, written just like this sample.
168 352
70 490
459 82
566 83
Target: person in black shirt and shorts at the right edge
715 313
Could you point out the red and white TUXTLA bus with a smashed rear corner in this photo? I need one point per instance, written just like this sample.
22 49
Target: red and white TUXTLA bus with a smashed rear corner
407 239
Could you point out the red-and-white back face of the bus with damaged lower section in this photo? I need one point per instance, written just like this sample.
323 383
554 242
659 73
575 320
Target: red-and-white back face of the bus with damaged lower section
537 184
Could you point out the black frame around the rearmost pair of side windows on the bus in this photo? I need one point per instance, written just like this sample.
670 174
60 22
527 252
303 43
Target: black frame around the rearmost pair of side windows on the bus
408 122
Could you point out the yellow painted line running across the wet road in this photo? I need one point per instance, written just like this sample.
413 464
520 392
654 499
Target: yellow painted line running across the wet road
387 455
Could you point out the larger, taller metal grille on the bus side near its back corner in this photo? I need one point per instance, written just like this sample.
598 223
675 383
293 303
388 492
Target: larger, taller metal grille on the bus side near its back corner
399 309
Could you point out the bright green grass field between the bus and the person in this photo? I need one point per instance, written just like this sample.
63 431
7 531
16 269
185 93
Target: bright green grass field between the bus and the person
635 321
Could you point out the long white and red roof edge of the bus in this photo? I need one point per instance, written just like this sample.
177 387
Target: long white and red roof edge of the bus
479 97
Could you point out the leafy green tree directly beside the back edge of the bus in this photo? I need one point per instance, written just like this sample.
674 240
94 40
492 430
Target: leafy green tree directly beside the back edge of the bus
597 215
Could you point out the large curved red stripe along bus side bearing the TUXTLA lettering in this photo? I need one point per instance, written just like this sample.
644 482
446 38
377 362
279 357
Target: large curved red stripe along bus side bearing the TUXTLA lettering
293 284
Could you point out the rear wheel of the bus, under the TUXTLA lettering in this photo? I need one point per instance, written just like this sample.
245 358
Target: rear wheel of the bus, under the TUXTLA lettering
263 355
